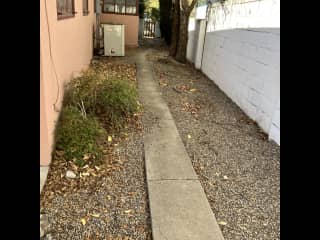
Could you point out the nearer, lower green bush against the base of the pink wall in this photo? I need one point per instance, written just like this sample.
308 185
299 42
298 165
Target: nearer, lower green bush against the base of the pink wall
77 136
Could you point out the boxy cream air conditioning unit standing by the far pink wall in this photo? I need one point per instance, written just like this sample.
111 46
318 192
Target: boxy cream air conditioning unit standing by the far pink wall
113 39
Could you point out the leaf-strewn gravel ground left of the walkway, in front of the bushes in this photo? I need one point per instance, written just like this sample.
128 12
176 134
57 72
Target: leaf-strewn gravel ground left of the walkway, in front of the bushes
111 203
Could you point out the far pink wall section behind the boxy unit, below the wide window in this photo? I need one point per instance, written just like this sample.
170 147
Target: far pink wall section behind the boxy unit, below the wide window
131 26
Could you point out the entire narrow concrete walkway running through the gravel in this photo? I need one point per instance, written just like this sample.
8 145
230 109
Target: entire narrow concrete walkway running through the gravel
179 207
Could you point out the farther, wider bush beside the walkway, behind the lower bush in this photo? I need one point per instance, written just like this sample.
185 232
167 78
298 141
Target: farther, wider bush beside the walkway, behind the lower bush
114 100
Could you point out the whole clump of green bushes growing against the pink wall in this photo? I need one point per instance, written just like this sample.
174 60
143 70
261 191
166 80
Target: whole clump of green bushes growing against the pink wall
91 98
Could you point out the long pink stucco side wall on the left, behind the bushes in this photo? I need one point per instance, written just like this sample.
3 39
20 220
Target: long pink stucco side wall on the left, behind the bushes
72 48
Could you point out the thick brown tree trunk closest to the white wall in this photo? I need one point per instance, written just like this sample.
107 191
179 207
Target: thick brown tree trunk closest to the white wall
183 37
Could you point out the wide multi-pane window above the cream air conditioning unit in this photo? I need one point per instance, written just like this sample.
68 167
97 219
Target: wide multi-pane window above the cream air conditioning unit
128 7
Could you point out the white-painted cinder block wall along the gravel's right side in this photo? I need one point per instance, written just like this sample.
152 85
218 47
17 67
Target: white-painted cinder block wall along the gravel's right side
242 56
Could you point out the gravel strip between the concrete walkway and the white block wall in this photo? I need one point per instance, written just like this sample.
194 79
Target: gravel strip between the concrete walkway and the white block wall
238 167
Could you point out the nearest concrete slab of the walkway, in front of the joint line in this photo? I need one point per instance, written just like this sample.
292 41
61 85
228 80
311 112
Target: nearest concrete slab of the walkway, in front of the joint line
180 211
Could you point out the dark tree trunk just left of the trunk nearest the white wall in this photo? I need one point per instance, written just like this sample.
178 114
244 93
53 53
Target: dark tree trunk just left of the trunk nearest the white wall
175 29
